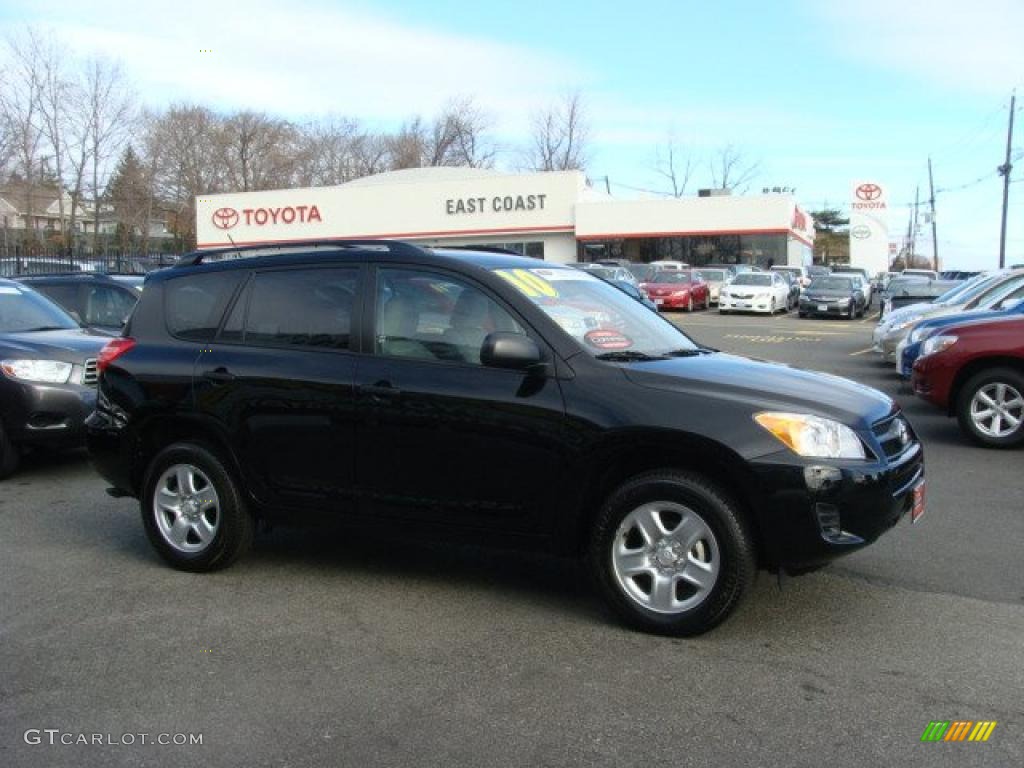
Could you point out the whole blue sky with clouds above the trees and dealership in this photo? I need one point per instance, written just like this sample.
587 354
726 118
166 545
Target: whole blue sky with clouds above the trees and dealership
818 95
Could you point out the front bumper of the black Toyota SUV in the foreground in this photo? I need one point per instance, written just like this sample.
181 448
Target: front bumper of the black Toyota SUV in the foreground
819 510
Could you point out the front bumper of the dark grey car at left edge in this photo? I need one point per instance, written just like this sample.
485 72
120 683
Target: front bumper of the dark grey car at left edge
47 415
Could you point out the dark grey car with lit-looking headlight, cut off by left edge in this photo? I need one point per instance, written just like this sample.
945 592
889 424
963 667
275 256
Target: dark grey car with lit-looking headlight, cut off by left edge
48 375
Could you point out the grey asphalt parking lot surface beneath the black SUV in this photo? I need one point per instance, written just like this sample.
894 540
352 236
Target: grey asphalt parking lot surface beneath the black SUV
352 650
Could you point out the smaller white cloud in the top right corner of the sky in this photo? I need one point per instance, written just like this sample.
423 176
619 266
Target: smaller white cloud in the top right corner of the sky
974 47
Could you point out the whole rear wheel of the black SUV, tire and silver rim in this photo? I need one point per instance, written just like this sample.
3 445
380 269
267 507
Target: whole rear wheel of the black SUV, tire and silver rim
193 509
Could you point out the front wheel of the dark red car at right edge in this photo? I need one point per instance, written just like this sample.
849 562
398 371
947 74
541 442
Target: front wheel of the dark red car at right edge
991 408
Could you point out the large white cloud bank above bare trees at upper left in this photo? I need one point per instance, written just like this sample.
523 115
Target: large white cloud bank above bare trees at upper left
306 58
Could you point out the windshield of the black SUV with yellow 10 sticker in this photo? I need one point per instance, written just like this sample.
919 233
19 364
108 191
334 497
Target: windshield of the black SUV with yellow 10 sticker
606 322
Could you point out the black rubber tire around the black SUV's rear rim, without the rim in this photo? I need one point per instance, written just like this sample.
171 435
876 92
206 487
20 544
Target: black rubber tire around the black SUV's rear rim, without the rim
234 523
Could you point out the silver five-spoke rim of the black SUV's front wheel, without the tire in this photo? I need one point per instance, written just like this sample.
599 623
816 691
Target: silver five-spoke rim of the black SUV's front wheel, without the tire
665 558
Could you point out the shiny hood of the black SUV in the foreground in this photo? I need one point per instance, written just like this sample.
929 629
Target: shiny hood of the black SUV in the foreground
764 387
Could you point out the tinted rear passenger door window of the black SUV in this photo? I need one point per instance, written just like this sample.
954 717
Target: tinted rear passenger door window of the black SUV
303 308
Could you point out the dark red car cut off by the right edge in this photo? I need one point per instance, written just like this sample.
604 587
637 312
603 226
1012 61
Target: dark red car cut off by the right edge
975 371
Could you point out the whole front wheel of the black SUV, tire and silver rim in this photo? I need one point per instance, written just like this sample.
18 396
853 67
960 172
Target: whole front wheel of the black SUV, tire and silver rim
671 553
